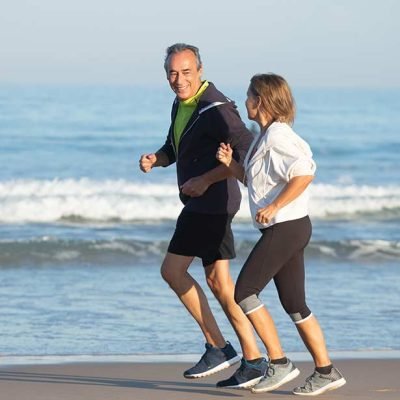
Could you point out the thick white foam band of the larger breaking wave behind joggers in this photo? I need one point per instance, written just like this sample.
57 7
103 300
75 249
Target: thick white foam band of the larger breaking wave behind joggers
85 199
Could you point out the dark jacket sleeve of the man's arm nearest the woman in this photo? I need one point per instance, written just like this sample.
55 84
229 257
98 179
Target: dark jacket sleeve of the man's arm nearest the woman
229 128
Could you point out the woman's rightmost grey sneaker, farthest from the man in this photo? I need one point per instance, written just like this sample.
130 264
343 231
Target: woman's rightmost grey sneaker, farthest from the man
319 383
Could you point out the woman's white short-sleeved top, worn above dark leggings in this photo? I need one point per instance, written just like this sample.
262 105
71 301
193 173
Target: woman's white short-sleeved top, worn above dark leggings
281 154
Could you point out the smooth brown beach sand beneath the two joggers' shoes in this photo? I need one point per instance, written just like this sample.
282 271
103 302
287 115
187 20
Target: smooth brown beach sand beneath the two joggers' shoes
366 379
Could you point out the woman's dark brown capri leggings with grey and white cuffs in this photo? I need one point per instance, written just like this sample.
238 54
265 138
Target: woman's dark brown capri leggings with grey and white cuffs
278 255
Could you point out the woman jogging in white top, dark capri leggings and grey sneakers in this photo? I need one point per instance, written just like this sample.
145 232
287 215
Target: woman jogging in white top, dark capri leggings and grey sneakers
277 171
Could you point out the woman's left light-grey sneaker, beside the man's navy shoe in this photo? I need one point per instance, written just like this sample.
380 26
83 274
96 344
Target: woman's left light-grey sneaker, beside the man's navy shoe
276 376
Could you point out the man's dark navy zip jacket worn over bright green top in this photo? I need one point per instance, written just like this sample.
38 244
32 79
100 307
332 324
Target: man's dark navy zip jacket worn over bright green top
214 120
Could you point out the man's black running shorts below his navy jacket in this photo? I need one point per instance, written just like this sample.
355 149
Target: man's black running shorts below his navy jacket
206 236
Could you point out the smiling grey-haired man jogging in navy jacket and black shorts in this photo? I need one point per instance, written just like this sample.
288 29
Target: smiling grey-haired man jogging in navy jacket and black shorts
202 118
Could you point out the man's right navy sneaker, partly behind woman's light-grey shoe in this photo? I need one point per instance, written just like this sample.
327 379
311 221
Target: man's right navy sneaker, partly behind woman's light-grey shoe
246 376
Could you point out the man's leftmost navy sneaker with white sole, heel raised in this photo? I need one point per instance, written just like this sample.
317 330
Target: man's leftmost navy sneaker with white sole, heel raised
213 360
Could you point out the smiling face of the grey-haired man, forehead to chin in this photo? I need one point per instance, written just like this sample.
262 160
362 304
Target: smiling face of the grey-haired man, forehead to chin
183 75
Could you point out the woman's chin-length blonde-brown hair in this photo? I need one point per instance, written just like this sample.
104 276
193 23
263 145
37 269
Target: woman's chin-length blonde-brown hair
276 97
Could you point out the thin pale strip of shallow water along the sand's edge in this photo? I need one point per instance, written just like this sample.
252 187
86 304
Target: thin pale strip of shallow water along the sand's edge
10 360
